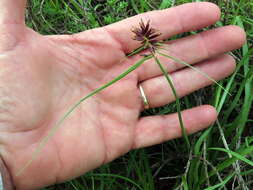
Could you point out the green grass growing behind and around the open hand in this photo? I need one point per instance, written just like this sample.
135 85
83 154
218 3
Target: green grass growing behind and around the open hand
170 165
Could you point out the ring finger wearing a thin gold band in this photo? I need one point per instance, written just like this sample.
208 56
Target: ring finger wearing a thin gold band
158 92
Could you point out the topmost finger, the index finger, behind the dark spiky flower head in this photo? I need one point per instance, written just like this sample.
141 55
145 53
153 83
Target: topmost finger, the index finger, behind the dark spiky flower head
172 21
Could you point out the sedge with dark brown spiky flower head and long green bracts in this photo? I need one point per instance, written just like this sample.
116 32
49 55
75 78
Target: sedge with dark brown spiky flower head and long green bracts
147 36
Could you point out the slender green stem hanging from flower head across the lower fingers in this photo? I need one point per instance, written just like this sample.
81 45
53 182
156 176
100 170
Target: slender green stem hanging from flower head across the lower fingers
177 100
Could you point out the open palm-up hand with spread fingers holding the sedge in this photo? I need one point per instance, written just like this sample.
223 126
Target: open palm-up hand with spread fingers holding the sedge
42 76
